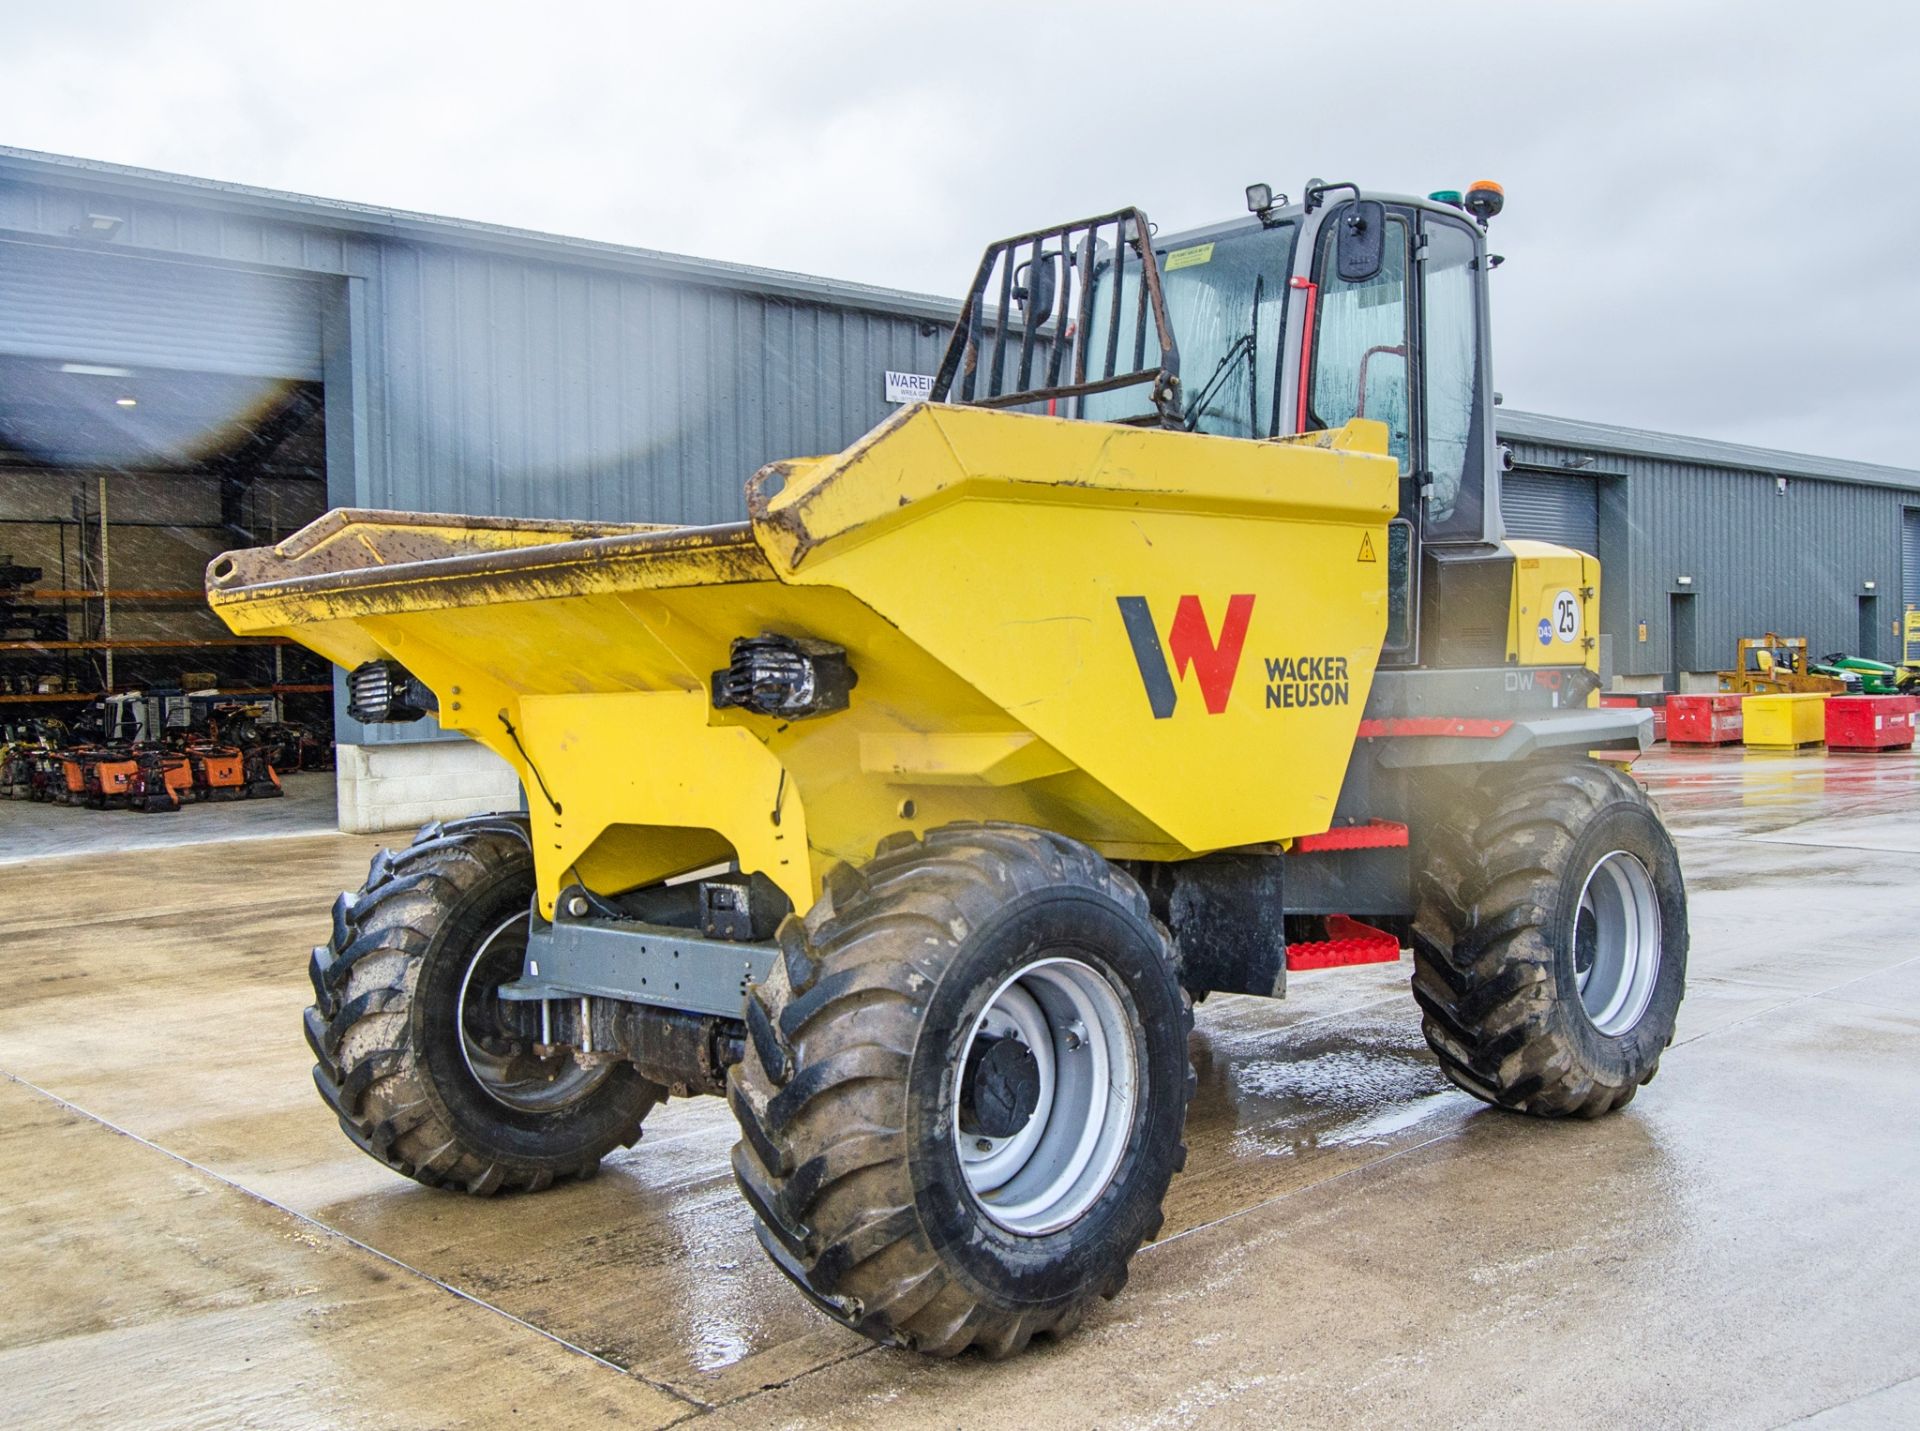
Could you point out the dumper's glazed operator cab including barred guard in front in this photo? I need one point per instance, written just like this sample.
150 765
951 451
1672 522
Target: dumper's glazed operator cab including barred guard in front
1293 320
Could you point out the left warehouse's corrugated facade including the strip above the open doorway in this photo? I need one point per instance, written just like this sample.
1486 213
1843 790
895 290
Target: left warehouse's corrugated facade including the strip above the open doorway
494 379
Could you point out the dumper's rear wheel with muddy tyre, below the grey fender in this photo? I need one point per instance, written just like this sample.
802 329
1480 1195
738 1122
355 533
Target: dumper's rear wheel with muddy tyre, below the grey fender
1550 940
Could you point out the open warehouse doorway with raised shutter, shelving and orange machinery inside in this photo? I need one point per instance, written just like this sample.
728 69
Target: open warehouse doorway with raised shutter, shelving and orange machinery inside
155 414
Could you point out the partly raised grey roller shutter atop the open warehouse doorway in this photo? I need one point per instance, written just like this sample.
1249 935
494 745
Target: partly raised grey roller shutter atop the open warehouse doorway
110 308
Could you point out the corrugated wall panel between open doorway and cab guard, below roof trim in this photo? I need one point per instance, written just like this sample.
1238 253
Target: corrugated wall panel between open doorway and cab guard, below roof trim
540 391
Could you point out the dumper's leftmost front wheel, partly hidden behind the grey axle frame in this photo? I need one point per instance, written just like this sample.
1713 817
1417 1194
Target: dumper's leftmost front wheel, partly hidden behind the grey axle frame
404 1038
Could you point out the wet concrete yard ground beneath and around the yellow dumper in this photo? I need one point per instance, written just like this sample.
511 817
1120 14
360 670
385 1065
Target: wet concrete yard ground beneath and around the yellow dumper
187 1240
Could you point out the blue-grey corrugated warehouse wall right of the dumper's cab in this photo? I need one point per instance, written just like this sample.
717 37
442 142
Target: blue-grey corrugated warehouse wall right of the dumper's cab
1762 560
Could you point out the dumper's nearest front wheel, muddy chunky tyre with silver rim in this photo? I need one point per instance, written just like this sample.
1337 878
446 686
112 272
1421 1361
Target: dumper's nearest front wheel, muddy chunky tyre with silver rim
965 1090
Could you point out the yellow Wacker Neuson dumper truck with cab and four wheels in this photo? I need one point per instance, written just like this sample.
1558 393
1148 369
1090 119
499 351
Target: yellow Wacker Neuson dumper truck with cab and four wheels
1174 644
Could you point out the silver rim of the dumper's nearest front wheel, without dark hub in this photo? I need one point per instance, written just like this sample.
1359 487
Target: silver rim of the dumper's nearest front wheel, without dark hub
1074 1023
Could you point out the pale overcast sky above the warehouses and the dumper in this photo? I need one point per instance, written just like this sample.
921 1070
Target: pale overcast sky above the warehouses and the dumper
1712 208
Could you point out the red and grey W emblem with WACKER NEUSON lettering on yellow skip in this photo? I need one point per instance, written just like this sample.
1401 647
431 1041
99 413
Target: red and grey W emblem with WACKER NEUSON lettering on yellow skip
1295 683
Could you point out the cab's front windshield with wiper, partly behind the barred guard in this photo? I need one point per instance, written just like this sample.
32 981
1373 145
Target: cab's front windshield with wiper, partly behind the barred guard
1228 306
